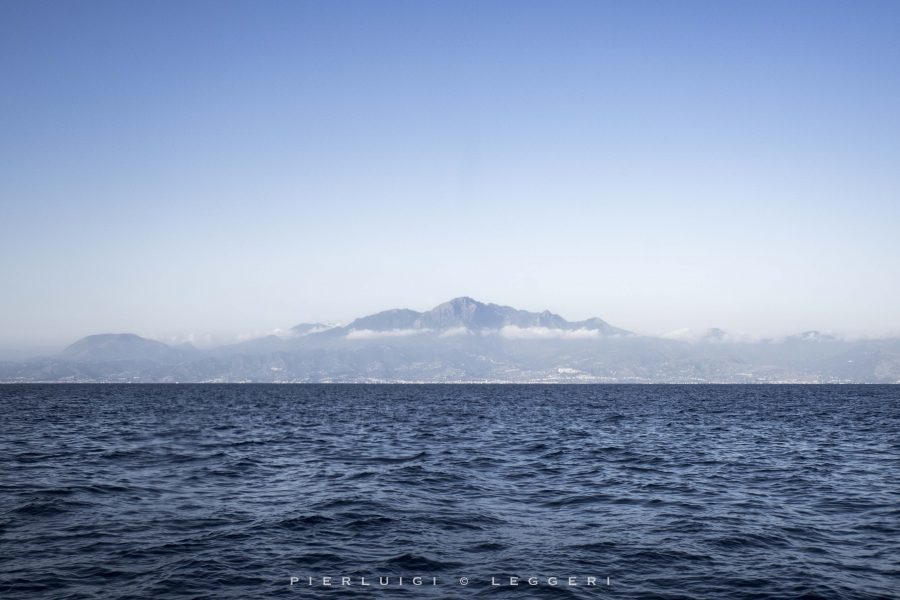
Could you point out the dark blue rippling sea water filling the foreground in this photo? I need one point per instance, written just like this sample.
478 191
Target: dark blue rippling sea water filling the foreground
228 491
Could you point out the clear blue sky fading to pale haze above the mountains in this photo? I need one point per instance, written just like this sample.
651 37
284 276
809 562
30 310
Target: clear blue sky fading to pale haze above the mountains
227 168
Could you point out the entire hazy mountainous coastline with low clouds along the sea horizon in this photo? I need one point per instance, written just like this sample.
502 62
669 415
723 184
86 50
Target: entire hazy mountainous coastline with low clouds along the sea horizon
467 340
